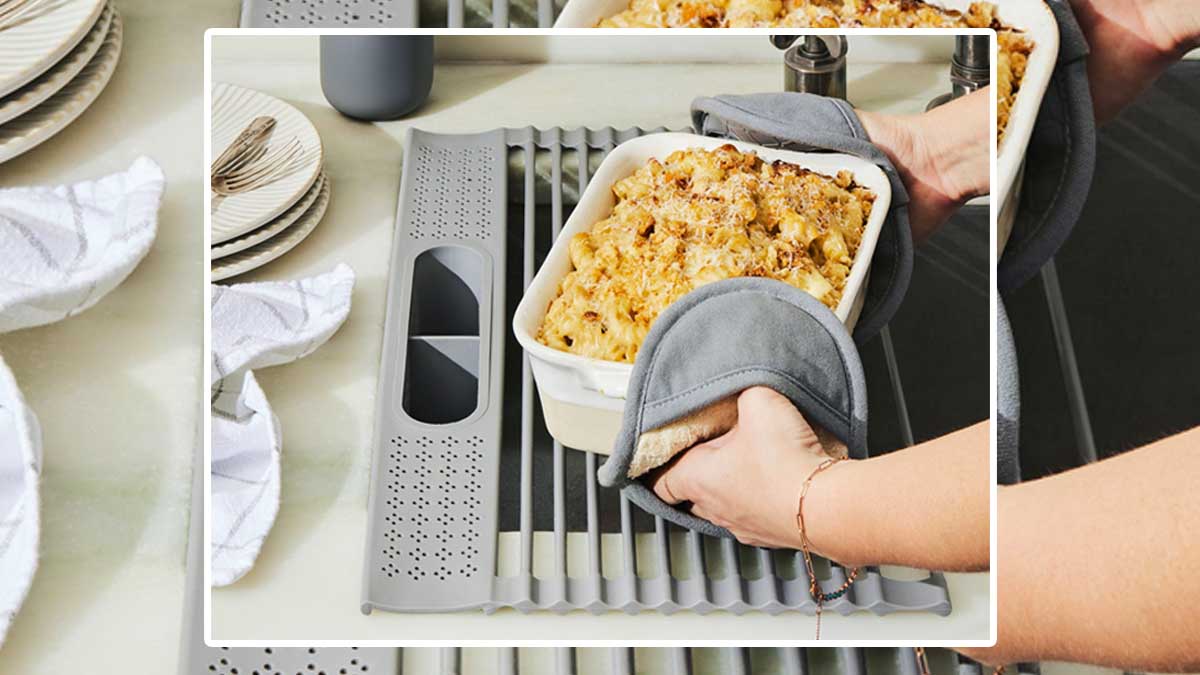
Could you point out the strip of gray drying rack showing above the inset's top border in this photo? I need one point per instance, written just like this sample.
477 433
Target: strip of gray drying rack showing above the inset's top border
399 14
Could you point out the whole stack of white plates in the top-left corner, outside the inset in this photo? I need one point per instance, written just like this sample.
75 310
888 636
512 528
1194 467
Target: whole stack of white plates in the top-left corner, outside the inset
53 64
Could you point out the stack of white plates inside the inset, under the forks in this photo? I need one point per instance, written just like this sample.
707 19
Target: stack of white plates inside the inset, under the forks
254 229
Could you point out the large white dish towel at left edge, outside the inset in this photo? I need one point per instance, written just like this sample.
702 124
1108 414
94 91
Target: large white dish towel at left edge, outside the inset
62 250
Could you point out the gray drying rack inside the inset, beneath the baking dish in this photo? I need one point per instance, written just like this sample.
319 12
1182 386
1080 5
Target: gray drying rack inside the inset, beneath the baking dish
472 504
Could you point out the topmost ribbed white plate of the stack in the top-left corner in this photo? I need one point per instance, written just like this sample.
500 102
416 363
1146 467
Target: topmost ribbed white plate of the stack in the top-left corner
31 49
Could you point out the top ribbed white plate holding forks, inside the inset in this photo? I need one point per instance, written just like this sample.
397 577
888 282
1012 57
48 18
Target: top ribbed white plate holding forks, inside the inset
233 109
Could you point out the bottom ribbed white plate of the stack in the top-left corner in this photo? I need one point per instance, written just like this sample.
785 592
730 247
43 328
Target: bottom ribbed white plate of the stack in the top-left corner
56 114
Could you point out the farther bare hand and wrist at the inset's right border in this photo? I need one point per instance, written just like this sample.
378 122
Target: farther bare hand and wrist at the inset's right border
941 156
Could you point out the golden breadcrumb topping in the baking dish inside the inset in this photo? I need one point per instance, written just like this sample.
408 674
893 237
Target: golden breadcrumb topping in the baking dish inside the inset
697 218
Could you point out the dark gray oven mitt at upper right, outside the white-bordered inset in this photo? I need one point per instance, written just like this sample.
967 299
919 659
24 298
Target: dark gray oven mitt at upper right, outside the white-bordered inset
1059 163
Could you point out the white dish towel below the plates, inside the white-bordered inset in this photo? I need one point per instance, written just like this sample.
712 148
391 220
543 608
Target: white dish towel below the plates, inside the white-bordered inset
257 326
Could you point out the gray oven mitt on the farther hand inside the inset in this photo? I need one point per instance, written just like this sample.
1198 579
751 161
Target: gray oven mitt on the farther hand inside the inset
811 123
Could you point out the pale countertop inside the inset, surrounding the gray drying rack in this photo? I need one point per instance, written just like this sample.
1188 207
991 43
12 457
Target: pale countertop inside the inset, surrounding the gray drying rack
308 581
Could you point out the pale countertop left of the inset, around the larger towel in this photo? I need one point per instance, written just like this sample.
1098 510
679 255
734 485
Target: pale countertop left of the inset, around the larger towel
118 389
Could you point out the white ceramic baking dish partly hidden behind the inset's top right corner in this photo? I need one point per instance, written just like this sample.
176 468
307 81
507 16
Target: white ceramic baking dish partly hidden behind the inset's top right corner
1031 16
